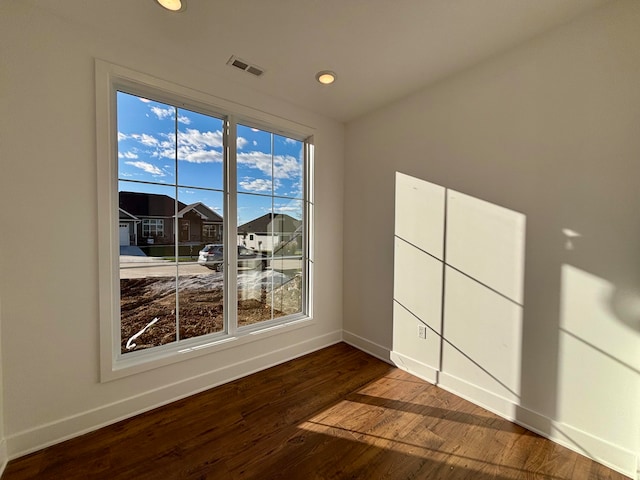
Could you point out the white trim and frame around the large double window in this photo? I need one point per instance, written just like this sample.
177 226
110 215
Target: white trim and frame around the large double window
113 364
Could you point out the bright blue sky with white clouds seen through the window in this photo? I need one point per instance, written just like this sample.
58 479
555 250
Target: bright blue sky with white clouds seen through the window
267 163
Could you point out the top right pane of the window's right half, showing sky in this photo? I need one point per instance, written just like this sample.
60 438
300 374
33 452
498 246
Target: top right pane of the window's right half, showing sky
287 166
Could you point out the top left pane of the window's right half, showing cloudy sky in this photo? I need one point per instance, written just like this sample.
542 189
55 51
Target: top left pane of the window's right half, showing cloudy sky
254 159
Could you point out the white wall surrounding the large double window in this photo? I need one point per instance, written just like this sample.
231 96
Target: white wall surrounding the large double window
49 283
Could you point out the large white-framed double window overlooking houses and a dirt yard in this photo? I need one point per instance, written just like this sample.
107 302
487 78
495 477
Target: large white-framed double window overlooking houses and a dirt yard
195 182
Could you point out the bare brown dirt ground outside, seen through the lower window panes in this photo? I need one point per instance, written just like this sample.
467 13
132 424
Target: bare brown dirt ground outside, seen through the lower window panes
200 306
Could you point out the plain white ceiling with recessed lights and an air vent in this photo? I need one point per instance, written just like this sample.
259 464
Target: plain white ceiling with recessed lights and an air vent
381 50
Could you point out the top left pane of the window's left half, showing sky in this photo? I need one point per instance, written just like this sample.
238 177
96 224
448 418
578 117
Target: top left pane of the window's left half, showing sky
146 140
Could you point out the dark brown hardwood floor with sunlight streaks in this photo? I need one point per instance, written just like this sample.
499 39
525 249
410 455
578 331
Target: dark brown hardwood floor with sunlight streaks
336 413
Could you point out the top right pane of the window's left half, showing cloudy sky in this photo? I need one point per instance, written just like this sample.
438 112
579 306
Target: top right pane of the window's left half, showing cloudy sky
200 147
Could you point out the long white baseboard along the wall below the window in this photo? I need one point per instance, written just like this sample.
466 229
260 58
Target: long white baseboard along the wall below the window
29 441
